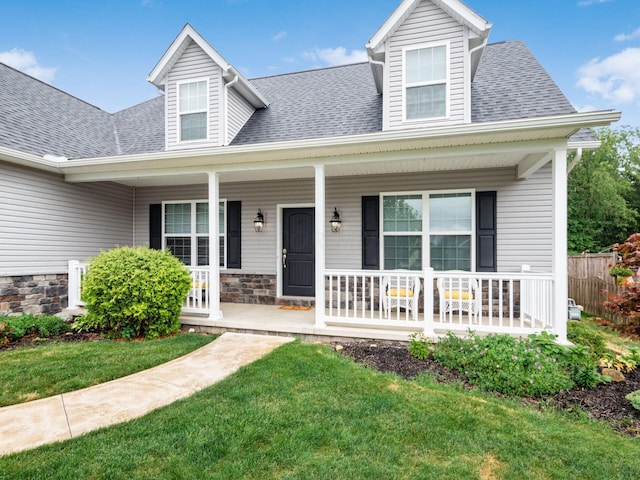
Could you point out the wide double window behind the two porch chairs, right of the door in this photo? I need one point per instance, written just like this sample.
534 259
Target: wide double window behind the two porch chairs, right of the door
428 229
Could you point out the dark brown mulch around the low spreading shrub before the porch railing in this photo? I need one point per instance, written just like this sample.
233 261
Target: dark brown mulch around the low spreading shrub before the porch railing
605 402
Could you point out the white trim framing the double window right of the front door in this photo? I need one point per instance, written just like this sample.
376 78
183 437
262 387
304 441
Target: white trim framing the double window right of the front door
426 233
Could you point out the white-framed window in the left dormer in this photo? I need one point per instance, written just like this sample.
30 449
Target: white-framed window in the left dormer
192 107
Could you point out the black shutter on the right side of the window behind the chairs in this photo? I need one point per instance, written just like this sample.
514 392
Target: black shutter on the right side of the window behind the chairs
486 238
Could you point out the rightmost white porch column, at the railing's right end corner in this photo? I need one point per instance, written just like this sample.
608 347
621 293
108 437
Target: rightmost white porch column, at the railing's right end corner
559 235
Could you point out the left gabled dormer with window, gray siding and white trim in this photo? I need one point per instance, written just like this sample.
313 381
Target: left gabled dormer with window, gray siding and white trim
207 101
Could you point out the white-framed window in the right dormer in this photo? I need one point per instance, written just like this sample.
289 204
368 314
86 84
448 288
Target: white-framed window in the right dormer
426 82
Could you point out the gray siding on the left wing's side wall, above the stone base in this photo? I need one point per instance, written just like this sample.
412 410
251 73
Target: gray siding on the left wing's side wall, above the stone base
46 222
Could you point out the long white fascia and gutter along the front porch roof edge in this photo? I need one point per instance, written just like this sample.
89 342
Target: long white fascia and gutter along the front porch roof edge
458 135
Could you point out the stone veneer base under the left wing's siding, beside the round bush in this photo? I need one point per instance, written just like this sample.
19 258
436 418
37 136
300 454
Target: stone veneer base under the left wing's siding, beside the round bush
33 294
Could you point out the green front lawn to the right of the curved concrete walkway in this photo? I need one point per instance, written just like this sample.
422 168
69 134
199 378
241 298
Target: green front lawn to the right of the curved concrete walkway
305 412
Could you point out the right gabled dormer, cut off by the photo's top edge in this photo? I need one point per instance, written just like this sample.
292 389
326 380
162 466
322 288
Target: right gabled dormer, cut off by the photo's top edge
423 60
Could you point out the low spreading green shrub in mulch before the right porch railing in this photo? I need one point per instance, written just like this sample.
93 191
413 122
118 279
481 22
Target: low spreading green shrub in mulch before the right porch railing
530 367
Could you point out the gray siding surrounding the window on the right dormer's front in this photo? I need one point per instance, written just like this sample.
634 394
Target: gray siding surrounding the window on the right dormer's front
426 24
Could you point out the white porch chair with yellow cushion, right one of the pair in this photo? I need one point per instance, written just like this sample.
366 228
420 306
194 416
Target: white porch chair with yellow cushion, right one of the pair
459 294
